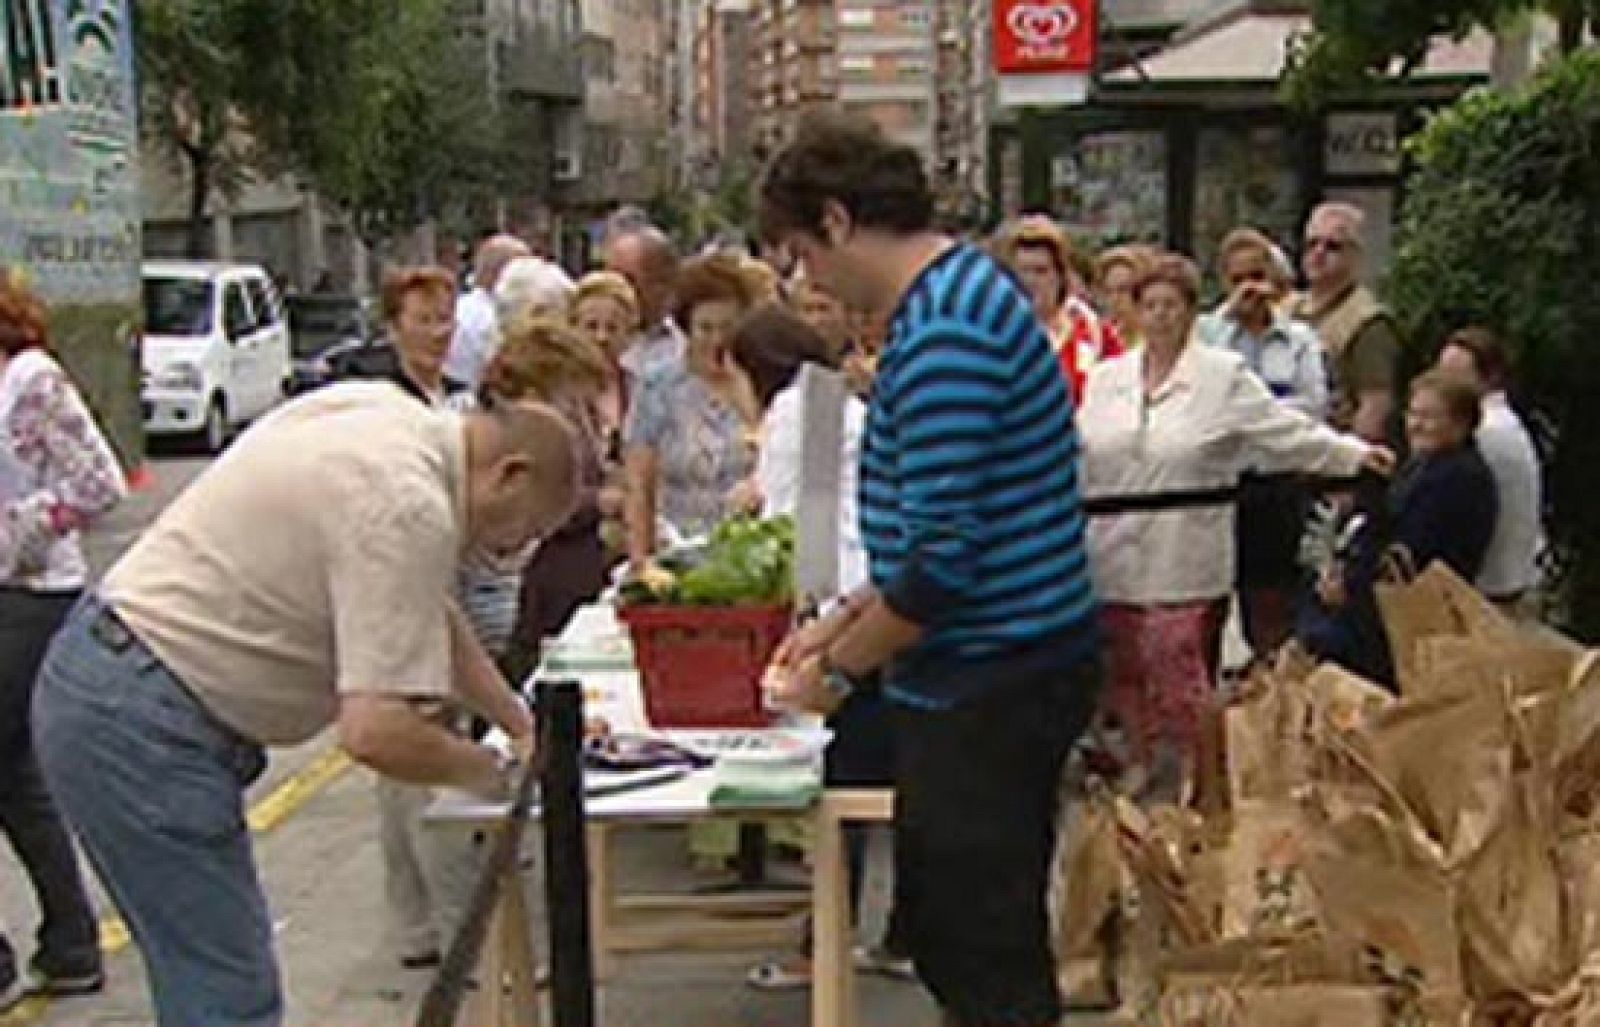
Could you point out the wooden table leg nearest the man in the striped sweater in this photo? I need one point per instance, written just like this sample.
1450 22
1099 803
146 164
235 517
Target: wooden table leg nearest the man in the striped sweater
833 977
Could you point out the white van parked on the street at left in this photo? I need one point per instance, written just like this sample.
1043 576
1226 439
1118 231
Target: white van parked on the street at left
217 350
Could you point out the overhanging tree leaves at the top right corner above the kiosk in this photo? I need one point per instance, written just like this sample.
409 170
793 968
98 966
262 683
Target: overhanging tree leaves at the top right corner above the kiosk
1358 42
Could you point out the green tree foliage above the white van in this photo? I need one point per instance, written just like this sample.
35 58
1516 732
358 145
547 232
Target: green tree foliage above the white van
372 102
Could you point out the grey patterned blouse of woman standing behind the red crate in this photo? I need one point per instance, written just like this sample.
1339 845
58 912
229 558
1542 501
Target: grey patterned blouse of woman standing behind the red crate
700 447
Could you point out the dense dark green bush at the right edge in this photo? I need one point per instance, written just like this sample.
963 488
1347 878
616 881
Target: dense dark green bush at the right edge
1502 228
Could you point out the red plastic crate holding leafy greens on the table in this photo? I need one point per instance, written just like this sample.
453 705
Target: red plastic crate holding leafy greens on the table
702 666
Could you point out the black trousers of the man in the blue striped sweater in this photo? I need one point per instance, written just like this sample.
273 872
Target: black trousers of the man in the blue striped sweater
975 829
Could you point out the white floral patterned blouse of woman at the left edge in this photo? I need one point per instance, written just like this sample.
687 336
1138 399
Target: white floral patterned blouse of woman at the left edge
57 474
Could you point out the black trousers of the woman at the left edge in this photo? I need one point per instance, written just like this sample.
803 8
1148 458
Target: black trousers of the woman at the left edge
68 935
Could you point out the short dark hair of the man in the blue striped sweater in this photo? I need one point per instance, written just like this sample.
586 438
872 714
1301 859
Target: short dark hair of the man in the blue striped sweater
847 159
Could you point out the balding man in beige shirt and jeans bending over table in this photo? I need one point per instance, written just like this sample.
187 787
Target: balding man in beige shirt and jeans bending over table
303 581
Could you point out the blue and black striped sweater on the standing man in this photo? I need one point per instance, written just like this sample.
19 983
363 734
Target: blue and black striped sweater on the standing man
970 506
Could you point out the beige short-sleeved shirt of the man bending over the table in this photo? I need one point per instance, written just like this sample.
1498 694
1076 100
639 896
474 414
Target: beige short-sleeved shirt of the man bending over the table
314 559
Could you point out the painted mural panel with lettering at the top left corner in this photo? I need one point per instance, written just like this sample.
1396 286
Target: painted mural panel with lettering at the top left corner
70 193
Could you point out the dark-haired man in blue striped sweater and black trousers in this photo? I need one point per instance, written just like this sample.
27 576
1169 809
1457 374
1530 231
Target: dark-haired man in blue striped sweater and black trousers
980 613
